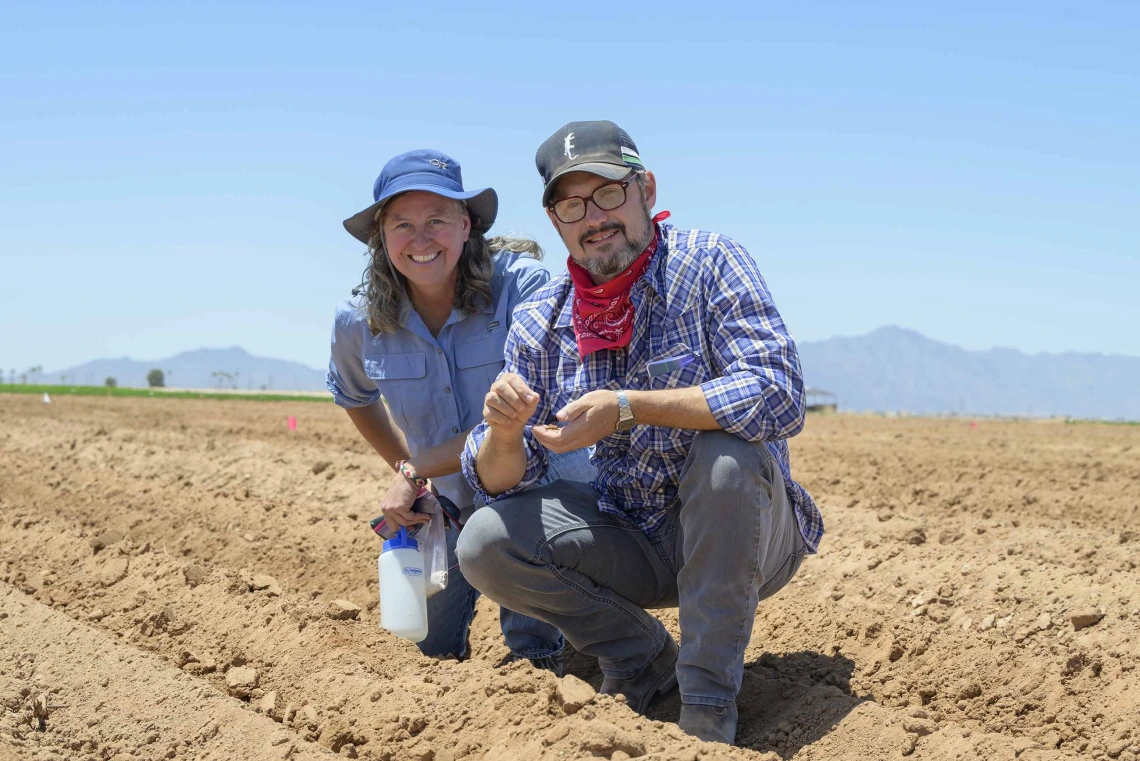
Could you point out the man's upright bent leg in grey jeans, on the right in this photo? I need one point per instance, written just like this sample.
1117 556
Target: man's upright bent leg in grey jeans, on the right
742 544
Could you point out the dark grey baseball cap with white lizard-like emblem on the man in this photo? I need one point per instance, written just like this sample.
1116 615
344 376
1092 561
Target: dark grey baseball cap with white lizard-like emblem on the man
601 149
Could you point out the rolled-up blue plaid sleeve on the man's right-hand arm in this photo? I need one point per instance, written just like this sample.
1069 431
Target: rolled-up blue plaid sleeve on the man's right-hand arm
760 396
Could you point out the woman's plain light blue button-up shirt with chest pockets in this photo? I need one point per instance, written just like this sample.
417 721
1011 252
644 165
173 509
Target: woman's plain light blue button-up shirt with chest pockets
434 386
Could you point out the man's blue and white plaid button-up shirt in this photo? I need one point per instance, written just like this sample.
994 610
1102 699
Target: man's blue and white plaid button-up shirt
703 296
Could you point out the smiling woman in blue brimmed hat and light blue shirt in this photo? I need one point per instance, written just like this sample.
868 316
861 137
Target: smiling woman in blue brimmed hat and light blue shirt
426 332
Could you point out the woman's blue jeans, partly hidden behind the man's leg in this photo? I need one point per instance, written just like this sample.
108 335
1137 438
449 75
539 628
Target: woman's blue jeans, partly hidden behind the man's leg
450 612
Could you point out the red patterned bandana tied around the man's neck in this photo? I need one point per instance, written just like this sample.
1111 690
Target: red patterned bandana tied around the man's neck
604 316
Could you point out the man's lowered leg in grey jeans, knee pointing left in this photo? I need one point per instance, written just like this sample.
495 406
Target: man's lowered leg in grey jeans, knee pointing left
550 553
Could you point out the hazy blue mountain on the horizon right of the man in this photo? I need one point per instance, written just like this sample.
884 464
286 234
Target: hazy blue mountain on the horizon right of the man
894 370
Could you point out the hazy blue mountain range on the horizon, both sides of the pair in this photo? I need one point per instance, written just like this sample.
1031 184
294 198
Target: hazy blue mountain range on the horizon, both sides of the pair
890 370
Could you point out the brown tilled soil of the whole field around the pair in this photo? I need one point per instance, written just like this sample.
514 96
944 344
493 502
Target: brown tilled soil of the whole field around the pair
976 598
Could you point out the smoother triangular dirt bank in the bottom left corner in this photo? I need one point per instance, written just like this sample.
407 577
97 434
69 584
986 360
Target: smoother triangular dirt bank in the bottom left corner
68 689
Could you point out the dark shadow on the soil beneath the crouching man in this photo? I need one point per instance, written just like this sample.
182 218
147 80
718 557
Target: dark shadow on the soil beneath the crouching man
786 702
